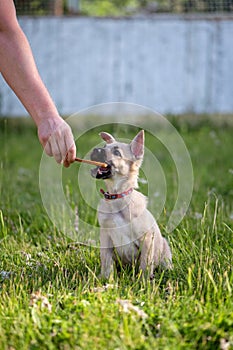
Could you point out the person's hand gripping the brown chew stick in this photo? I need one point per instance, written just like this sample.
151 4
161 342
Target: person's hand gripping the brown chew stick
56 137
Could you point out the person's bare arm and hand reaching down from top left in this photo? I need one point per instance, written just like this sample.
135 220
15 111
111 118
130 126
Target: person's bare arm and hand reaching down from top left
18 68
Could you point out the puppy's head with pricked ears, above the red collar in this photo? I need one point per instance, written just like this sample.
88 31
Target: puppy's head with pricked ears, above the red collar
124 160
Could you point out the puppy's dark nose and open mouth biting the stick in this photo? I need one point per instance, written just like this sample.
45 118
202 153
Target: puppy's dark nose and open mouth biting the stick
99 155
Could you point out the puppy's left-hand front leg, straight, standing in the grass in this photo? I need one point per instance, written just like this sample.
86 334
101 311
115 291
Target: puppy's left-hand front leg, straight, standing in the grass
106 254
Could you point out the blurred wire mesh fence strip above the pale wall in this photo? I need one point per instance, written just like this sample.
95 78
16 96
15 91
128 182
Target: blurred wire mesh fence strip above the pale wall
88 7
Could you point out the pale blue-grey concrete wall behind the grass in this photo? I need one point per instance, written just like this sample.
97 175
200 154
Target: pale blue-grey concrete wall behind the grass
169 63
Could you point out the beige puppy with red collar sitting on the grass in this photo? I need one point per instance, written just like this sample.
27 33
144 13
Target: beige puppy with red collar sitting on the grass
128 231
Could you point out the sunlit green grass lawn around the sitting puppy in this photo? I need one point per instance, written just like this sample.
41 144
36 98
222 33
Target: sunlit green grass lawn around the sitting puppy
50 294
